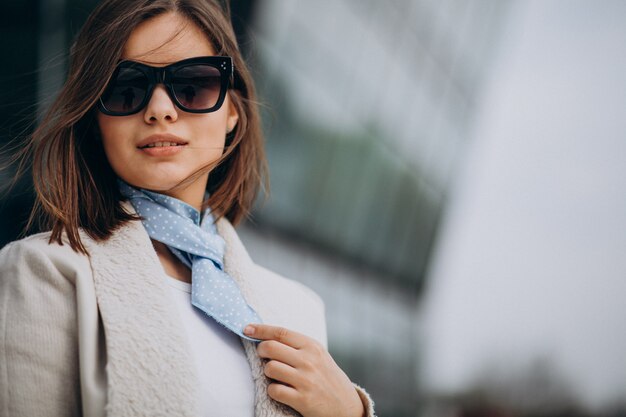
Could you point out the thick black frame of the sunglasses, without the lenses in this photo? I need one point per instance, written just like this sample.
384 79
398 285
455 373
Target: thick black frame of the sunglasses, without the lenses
163 75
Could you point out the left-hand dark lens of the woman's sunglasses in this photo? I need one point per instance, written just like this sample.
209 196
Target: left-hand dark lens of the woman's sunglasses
126 92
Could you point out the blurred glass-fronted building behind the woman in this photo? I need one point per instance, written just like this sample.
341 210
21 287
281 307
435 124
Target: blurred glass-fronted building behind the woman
367 105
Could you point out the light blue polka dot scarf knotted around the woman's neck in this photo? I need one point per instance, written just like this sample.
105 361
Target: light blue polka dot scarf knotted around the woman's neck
194 240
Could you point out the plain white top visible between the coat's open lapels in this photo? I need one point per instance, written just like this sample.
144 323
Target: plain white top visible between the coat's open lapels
226 386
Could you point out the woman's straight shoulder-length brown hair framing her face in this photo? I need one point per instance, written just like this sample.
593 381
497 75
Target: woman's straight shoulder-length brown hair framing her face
75 186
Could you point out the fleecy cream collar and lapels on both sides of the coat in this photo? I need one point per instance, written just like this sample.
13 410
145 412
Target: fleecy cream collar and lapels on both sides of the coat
149 367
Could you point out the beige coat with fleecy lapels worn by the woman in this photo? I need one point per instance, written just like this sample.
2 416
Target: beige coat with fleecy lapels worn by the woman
98 336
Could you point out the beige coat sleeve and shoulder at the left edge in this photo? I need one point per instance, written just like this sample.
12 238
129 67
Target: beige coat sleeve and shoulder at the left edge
39 374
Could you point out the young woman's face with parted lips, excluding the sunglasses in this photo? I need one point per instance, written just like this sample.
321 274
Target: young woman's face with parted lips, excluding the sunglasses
200 137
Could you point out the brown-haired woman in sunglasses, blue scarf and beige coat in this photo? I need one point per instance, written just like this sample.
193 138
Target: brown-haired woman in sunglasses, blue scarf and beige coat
141 300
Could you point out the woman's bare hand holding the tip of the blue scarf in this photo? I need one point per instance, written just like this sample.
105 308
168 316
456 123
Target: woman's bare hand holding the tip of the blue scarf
305 376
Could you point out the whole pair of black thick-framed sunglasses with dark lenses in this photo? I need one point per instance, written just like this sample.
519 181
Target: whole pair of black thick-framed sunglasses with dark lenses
195 85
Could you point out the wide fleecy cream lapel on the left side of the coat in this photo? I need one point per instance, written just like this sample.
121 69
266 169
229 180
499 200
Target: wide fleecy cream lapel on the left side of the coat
148 368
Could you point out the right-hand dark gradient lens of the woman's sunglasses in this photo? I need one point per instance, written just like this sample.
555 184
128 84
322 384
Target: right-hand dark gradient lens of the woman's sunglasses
197 87
